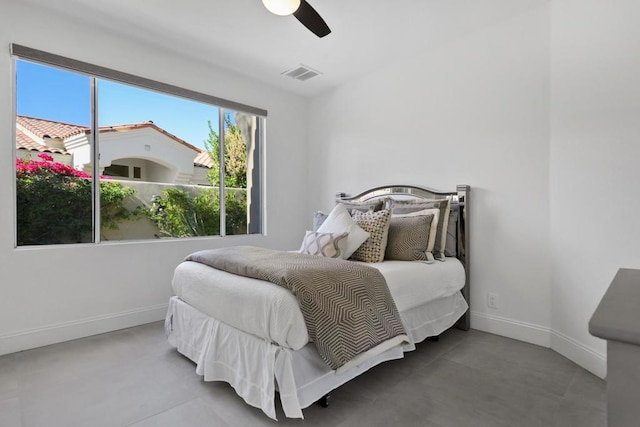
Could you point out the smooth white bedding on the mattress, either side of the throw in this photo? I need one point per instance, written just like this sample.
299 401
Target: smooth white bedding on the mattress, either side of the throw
271 312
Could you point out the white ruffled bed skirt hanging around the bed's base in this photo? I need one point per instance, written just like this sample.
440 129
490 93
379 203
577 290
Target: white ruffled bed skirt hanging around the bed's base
255 367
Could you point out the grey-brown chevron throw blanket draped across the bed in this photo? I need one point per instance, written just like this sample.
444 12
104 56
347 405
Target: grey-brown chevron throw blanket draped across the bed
347 306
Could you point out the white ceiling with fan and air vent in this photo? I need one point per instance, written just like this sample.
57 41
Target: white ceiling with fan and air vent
241 35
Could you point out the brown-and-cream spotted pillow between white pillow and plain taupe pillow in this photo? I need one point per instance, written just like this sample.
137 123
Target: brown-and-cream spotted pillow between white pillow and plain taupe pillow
377 225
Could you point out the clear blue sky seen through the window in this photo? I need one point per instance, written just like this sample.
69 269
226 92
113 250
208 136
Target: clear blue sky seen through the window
53 94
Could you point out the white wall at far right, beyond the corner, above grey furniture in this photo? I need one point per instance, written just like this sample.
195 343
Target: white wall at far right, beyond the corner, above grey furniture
595 162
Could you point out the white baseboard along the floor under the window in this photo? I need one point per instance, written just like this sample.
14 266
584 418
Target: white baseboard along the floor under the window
65 331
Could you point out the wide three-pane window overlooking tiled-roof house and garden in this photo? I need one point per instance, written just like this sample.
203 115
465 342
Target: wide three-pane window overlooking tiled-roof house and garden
151 161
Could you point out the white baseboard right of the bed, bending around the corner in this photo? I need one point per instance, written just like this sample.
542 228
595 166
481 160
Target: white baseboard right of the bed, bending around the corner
590 359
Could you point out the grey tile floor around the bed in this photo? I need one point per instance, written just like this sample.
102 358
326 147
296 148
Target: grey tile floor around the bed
133 378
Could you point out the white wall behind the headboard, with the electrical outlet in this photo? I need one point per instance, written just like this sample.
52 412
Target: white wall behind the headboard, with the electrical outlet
474 111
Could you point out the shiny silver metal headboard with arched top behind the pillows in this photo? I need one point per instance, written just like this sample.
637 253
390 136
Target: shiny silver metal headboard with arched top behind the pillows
459 201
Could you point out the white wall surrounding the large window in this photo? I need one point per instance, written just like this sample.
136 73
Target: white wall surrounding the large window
51 294
